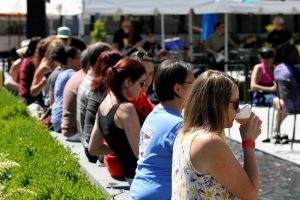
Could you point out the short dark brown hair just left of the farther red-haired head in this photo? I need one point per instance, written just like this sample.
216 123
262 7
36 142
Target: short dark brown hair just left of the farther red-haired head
95 50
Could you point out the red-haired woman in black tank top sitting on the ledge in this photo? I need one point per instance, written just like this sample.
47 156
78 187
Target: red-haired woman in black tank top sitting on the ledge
117 121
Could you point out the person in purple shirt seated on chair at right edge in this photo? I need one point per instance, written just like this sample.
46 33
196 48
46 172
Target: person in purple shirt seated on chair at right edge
287 71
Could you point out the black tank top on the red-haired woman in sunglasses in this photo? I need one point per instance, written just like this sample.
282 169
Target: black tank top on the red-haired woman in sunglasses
117 140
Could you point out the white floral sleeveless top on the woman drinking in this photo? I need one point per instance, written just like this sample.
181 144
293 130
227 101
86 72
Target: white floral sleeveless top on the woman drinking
187 182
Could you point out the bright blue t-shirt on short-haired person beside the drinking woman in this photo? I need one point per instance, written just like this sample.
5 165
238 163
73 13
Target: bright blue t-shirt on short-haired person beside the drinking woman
153 174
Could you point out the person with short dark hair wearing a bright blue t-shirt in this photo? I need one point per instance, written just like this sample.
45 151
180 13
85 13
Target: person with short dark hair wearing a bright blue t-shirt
153 174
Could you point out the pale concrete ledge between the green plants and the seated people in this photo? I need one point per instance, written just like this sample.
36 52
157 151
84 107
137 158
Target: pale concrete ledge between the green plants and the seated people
97 174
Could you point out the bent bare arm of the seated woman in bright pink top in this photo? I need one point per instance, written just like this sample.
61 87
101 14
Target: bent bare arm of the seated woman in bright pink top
255 78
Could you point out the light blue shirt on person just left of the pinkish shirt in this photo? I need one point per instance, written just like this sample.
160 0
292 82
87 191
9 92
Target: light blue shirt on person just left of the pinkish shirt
60 83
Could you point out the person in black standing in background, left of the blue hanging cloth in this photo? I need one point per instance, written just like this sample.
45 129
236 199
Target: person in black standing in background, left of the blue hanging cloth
126 39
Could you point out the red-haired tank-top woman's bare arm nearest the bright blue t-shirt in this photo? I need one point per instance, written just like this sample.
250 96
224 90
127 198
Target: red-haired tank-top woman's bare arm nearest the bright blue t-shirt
129 121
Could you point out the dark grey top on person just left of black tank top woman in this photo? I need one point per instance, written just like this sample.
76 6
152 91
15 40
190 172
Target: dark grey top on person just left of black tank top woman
94 100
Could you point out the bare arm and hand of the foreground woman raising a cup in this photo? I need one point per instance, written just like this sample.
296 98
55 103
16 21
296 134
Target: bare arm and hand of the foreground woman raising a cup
211 155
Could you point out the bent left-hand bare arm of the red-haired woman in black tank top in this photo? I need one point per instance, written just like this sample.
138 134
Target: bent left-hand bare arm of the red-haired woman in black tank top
96 145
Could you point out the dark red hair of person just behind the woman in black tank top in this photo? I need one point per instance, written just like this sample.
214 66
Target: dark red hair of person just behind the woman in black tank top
106 59
